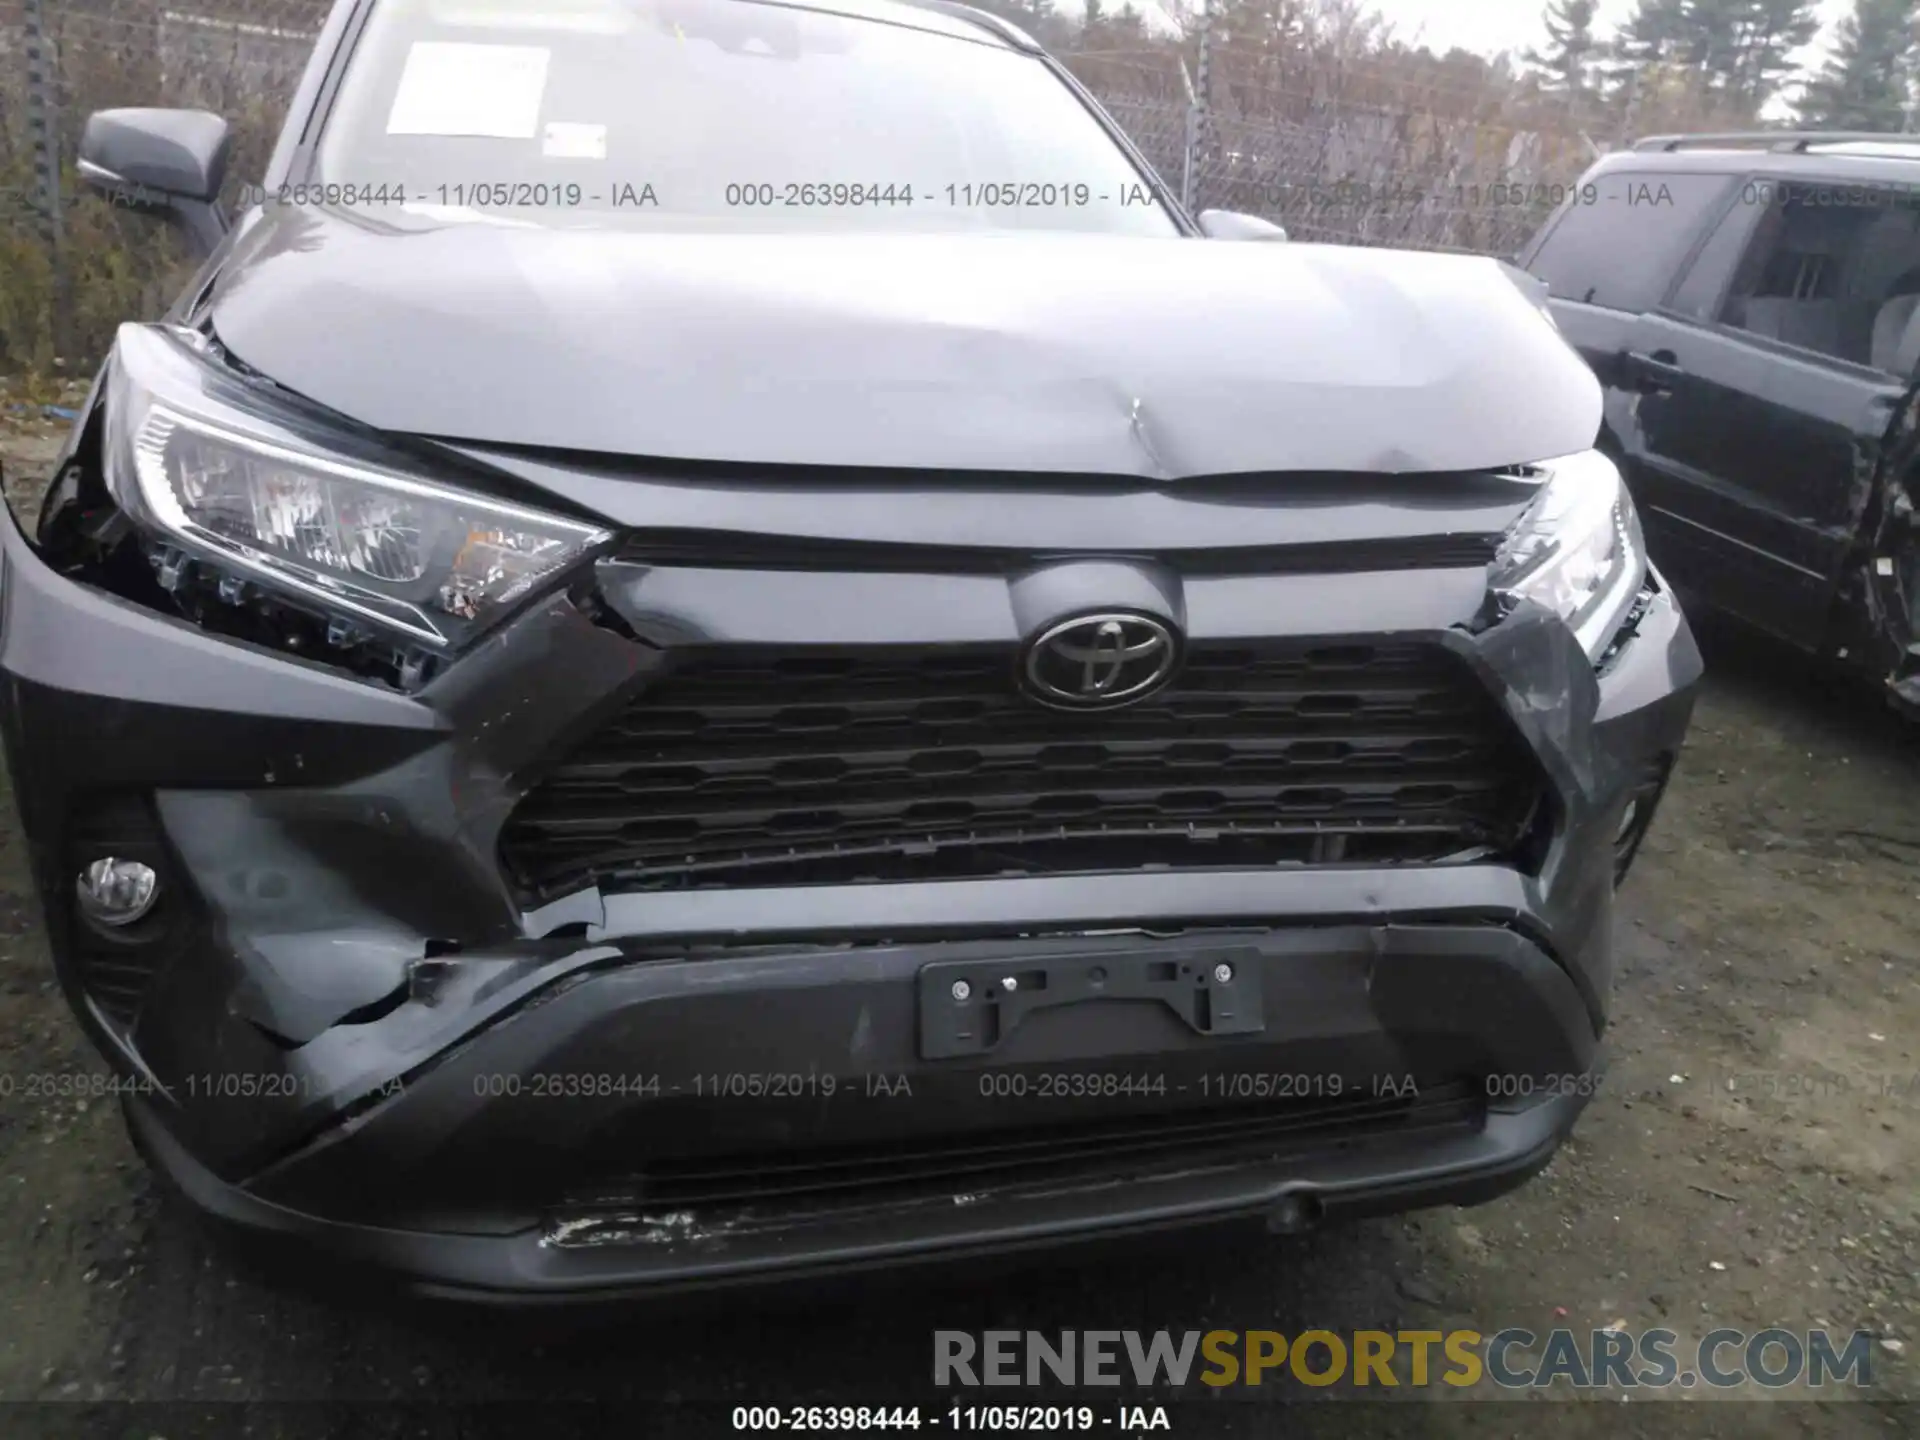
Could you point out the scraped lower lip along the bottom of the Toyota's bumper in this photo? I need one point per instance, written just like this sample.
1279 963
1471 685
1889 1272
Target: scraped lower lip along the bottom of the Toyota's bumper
660 1257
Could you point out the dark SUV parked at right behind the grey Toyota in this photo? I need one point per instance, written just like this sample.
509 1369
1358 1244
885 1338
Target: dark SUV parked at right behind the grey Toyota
1752 306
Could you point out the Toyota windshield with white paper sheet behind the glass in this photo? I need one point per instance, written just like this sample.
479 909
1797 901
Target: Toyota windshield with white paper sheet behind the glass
715 116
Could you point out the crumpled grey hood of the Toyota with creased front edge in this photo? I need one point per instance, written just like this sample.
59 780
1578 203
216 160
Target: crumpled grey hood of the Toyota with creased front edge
1045 354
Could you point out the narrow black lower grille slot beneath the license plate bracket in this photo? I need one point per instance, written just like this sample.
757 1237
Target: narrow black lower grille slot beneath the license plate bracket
775 1186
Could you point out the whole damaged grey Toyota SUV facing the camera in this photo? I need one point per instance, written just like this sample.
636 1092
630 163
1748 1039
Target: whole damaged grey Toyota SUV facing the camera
579 748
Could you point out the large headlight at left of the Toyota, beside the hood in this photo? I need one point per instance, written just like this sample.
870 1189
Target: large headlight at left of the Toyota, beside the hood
325 519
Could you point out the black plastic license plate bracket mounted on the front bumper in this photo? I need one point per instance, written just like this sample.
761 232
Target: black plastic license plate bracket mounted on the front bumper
969 1007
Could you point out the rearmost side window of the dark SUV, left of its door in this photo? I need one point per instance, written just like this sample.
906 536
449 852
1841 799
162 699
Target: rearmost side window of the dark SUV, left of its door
1621 239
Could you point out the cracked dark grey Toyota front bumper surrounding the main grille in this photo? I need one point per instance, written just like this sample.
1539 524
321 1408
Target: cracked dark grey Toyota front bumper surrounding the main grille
350 1032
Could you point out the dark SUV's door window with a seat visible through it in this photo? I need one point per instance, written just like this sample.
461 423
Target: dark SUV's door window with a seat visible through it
1833 268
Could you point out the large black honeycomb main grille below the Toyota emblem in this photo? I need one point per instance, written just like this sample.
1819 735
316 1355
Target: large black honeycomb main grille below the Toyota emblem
798 765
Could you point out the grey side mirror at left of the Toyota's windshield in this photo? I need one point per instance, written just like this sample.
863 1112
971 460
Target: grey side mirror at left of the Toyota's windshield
162 162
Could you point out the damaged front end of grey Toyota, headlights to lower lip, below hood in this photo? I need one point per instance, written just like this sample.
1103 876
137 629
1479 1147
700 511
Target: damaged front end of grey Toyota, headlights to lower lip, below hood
396 815
